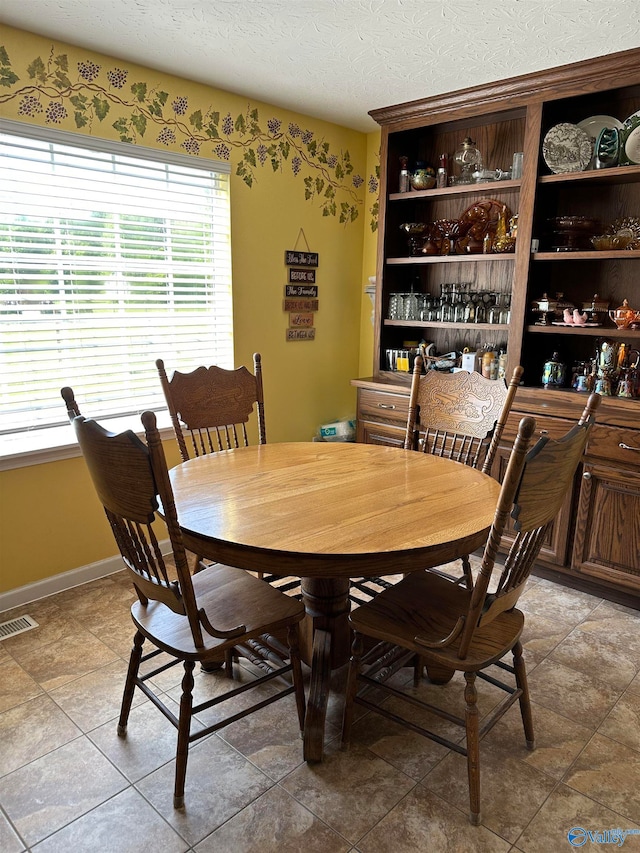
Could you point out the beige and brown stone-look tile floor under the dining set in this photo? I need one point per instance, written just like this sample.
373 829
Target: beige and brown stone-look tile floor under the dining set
68 783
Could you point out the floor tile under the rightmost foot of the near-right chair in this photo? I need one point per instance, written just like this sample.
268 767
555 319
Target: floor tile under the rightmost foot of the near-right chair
558 739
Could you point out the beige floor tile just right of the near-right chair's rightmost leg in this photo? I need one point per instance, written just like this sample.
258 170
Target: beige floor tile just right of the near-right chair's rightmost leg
573 694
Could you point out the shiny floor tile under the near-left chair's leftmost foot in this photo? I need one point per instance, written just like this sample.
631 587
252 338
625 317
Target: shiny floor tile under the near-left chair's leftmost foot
150 742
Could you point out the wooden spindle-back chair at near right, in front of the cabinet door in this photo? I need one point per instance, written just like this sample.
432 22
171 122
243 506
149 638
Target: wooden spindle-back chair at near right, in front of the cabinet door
451 628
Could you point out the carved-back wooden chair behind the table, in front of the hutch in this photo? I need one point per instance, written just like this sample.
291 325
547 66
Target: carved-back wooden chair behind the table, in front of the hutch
459 416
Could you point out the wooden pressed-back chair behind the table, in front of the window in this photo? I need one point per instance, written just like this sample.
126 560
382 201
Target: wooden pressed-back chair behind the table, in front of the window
211 406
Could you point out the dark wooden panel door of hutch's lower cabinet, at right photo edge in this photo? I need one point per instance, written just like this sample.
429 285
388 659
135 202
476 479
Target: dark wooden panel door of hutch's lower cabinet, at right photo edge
607 540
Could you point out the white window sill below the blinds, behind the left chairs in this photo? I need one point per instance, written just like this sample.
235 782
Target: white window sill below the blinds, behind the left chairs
21 450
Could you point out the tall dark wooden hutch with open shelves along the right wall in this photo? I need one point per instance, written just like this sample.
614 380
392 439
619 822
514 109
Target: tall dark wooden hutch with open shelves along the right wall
595 543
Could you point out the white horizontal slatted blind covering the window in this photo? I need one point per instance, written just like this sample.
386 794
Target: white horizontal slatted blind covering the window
109 259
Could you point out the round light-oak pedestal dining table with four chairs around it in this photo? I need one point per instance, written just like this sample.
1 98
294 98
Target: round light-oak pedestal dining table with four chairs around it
328 512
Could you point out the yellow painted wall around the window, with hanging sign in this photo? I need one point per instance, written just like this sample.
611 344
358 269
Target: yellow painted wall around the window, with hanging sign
50 520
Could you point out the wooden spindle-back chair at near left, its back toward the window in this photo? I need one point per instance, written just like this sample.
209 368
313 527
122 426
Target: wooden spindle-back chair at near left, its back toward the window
220 614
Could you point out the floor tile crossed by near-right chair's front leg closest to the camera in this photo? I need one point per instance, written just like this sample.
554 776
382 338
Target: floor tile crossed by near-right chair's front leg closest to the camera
511 791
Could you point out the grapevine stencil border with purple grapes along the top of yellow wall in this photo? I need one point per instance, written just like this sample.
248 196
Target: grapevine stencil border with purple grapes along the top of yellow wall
91 93
